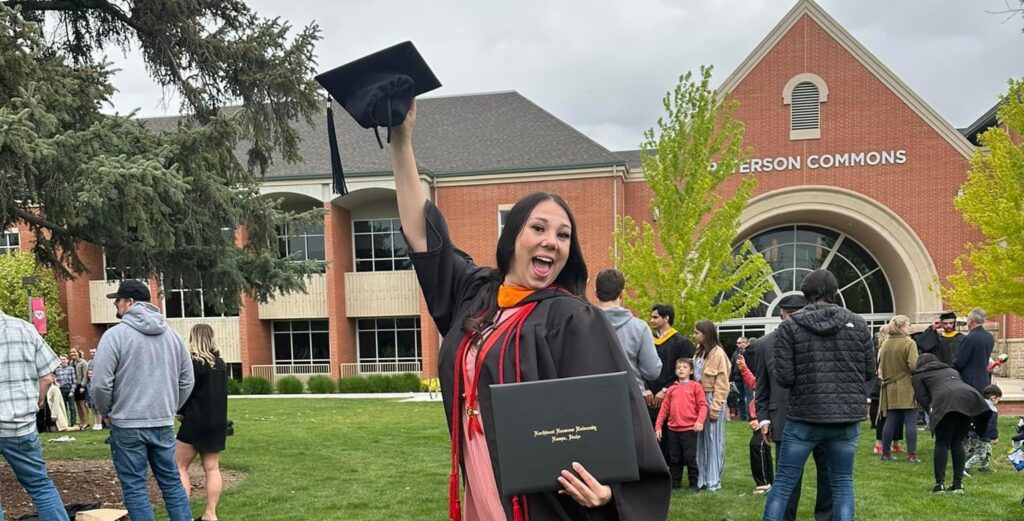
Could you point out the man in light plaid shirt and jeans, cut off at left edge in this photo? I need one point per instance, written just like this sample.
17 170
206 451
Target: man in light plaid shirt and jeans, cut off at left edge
26 364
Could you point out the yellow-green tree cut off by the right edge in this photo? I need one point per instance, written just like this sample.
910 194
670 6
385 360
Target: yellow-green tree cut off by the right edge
991 275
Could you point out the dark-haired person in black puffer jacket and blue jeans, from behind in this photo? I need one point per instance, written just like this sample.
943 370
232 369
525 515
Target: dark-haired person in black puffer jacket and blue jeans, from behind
824 356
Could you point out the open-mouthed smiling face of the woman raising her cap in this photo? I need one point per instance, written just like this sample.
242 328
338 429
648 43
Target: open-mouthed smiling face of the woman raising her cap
542 247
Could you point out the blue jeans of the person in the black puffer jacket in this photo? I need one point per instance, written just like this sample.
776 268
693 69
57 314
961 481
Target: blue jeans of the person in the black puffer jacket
799 440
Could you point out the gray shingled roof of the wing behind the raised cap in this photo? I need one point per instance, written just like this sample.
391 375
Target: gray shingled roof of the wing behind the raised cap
455 136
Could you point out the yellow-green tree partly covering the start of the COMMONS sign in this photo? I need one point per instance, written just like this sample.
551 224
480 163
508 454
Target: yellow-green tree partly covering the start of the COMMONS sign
690 259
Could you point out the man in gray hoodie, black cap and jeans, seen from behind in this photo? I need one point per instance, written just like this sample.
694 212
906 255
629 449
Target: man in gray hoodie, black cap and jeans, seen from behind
142 376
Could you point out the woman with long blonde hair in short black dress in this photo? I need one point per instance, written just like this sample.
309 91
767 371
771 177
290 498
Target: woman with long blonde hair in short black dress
204 418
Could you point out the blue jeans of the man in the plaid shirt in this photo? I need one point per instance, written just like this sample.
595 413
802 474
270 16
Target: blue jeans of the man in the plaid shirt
25 456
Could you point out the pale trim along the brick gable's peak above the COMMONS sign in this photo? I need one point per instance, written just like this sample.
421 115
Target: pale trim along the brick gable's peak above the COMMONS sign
859 52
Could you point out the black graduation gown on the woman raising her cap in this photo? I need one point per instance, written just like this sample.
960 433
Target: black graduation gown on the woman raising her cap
564 337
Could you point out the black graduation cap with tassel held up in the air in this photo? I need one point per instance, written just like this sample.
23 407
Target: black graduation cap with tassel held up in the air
378 92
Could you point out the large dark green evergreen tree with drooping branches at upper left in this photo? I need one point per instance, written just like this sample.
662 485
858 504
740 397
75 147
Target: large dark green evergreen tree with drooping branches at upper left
156 199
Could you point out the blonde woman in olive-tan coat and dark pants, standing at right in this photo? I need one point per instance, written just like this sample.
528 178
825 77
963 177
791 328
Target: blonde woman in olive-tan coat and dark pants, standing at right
898 360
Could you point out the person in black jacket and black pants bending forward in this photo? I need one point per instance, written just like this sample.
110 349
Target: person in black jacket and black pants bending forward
952 406
